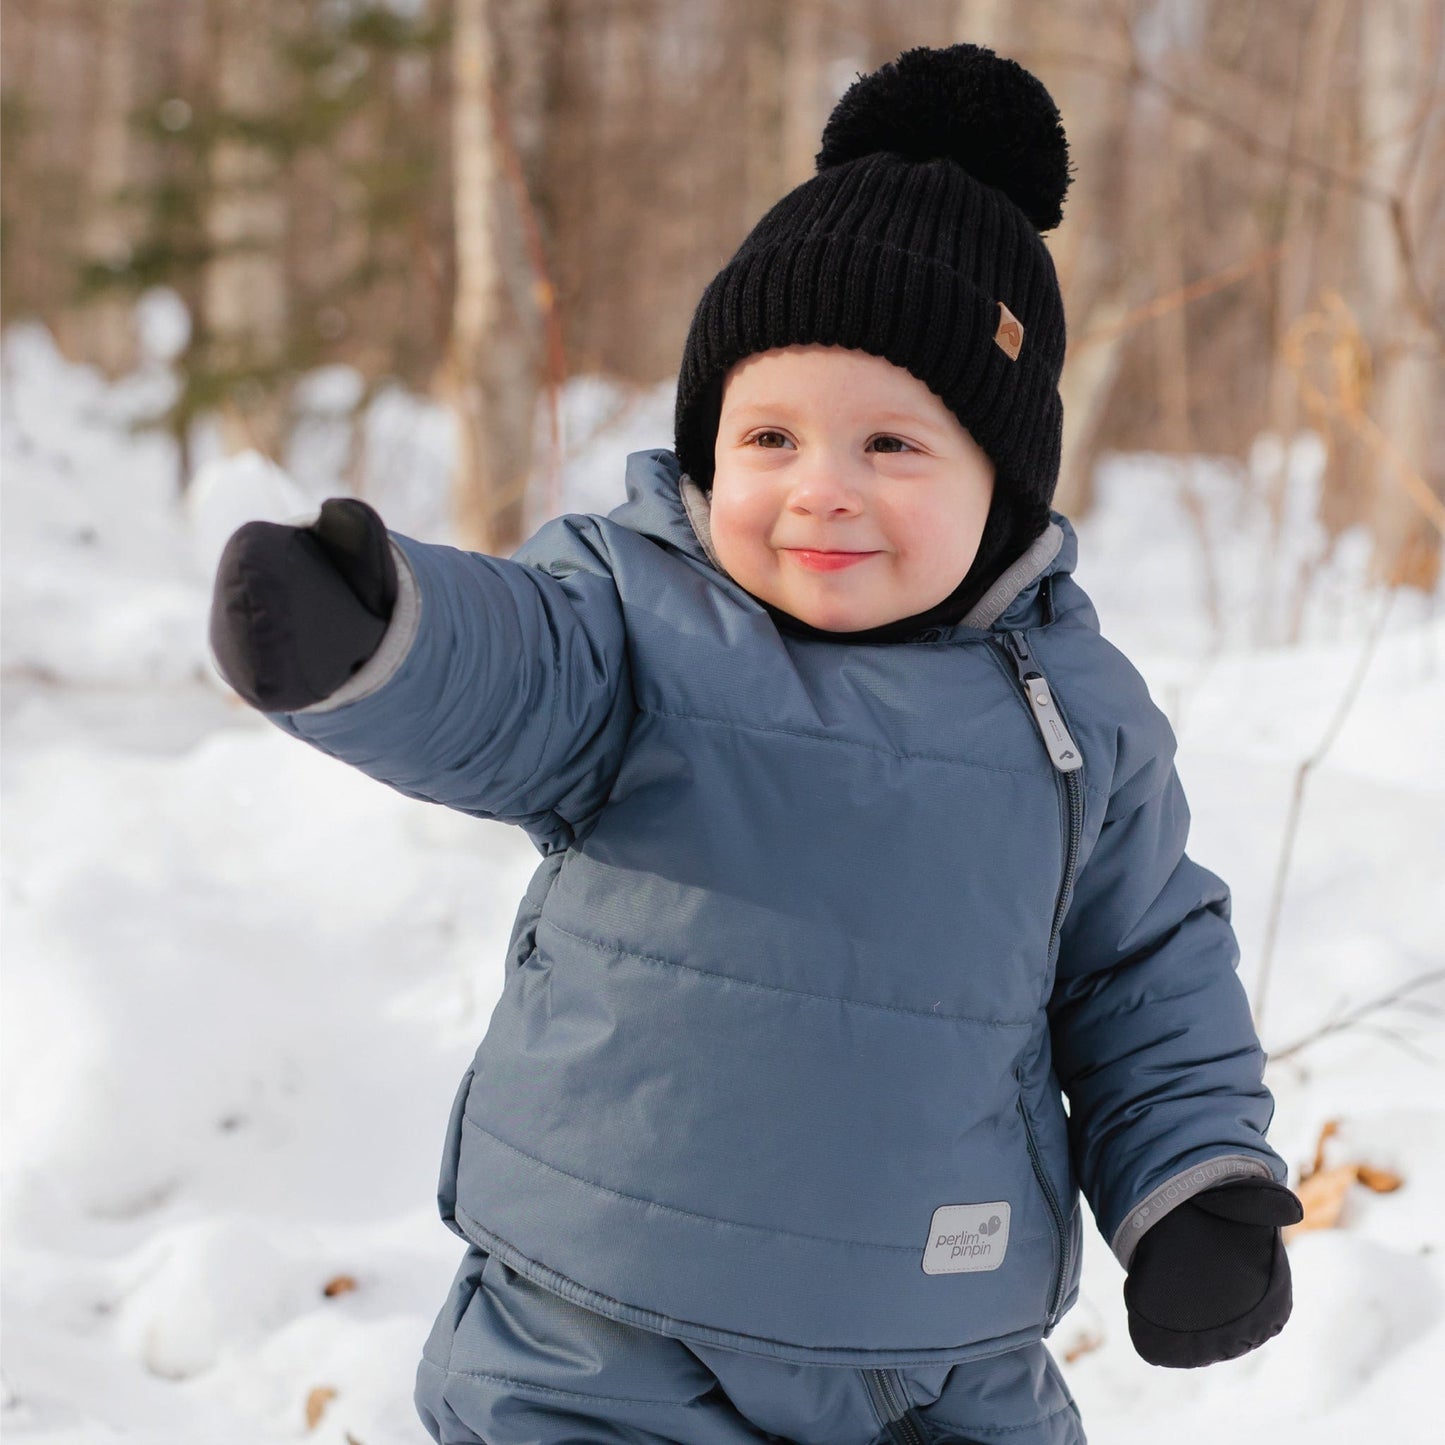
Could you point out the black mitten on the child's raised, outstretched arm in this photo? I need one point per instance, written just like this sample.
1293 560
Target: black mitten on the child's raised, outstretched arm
298 611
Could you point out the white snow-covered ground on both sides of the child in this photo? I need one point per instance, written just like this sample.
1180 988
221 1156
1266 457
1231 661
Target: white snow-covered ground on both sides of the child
242 982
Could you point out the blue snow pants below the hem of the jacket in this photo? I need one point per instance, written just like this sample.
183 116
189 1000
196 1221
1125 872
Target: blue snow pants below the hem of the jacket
511 1363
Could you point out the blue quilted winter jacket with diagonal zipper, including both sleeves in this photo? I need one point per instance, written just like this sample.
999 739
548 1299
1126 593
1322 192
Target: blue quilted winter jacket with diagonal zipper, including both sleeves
819 937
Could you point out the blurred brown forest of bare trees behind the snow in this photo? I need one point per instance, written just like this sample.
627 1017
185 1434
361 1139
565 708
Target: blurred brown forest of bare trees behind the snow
480 199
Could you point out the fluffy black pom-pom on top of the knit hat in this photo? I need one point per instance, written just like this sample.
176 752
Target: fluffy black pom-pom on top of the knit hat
967 105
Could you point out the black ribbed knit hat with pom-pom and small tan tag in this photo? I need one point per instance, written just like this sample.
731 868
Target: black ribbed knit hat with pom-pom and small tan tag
920 242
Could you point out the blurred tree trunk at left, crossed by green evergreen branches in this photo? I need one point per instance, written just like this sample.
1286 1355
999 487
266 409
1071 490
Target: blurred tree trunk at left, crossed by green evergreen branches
245 284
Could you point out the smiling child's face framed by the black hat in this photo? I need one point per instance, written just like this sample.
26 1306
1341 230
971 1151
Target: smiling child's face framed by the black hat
824 450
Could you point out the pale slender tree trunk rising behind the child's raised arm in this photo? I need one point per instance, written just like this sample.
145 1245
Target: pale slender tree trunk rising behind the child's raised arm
489 375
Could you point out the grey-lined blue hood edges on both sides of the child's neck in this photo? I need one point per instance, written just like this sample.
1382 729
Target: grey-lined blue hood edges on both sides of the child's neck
673 509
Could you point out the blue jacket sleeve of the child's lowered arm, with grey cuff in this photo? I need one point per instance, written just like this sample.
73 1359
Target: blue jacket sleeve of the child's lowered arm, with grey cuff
1151 1027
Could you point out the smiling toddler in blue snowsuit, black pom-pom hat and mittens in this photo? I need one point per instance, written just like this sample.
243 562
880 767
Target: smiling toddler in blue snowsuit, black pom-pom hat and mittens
862 852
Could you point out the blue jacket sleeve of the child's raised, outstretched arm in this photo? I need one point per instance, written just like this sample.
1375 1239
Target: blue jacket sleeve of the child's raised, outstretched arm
502 689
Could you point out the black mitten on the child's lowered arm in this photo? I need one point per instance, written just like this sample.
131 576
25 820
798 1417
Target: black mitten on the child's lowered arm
1210 1281
